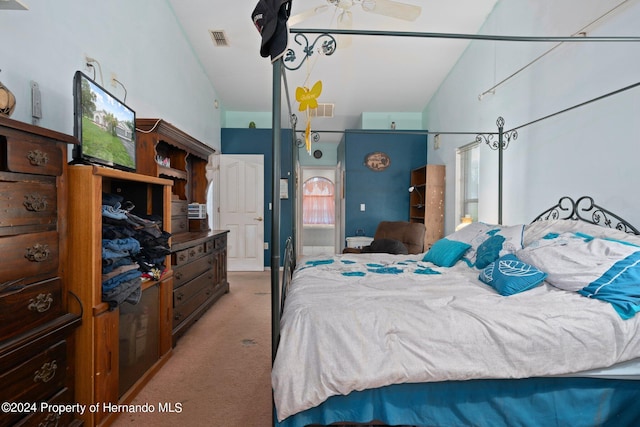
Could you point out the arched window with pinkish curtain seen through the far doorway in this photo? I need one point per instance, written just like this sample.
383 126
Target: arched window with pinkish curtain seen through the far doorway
318 202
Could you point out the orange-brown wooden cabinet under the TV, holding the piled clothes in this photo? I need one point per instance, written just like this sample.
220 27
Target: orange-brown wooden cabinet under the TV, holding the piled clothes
102 366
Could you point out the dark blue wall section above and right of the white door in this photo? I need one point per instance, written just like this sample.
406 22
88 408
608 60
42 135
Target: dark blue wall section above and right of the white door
259 141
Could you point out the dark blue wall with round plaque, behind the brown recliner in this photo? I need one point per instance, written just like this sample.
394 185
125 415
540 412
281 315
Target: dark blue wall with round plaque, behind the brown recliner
385 193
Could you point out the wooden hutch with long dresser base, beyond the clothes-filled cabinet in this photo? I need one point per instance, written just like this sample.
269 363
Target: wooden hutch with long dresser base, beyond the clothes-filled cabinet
199 255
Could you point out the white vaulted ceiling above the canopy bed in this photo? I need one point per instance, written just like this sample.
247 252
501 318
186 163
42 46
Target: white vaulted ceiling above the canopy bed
367 73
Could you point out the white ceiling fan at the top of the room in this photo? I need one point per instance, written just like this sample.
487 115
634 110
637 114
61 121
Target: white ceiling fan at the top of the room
390 8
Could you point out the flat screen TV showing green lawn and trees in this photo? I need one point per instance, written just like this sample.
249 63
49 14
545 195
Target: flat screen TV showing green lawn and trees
104 125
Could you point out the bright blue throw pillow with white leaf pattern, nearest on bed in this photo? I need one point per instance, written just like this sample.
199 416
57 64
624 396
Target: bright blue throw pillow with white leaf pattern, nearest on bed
508 275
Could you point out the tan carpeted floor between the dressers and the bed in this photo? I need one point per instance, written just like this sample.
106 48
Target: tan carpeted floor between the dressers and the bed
220 369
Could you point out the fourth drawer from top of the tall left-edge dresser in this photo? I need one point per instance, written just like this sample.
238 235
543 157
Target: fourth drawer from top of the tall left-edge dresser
29 307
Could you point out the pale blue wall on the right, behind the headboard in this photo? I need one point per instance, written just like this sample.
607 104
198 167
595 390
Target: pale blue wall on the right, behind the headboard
588 151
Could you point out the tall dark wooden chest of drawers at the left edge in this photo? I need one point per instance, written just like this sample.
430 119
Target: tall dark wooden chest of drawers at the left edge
37 314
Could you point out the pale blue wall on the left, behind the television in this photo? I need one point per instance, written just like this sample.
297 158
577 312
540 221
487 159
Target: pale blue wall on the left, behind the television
140 41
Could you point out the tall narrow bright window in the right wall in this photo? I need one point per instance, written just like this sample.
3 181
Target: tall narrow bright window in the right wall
468 167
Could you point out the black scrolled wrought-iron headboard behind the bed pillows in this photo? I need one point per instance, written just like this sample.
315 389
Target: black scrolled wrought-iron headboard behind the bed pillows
585 209
